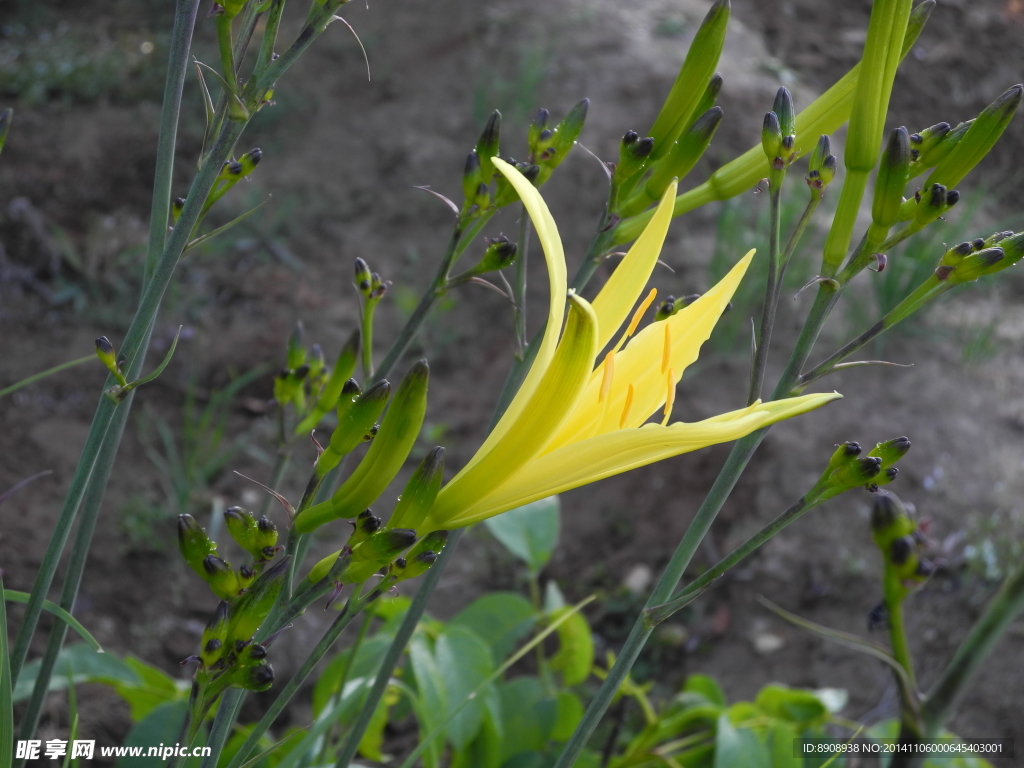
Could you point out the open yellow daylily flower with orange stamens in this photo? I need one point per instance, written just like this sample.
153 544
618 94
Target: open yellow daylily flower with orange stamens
578 419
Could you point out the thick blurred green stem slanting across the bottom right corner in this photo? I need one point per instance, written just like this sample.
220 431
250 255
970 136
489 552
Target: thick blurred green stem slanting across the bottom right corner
988 631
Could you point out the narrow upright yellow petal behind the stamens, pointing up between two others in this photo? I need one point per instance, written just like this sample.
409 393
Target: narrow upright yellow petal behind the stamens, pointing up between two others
616 301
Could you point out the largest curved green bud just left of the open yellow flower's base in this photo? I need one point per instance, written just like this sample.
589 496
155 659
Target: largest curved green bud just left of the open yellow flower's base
386 457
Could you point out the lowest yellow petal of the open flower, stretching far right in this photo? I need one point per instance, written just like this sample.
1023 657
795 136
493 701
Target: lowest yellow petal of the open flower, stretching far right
622 451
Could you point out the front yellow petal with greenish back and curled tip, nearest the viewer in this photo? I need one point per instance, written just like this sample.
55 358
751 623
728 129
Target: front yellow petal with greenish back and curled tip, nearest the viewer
556 397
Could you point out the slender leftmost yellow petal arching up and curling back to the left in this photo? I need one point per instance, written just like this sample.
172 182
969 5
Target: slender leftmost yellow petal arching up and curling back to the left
551 244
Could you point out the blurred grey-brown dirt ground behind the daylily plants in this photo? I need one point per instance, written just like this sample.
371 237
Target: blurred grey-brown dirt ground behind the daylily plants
342 157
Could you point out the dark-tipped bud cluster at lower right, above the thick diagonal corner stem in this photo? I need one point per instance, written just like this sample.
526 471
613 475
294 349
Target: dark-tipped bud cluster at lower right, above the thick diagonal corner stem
903 542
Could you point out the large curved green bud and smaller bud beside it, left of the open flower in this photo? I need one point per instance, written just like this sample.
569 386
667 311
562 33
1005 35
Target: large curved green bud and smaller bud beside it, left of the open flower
390 448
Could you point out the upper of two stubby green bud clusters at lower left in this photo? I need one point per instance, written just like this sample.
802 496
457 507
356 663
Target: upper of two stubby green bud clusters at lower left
258 538
